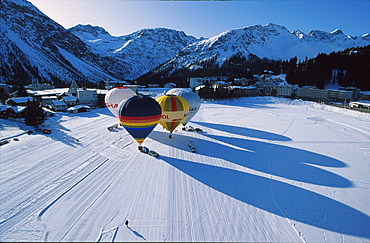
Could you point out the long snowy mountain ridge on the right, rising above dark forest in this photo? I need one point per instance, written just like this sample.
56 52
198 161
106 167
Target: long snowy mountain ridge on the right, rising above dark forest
270 41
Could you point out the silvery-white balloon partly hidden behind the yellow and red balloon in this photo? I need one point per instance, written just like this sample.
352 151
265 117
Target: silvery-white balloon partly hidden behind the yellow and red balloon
192 98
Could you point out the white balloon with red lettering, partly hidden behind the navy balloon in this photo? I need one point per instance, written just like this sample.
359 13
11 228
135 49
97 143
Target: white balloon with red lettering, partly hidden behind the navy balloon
115 96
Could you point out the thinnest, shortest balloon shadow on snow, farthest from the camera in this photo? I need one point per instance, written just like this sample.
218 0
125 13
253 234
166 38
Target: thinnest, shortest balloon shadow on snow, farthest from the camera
245 131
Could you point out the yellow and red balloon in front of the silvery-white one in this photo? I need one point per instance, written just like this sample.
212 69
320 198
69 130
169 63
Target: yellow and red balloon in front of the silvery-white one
174 111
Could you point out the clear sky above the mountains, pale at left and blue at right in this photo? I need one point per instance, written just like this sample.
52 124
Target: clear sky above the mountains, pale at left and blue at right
209 18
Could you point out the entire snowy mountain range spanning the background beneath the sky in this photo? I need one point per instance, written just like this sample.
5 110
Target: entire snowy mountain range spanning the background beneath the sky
36 47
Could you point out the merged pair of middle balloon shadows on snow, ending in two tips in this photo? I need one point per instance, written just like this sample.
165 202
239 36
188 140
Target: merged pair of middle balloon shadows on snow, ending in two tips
290 163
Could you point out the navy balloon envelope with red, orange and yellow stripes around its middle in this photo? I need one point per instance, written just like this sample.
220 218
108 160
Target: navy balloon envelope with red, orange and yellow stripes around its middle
139 115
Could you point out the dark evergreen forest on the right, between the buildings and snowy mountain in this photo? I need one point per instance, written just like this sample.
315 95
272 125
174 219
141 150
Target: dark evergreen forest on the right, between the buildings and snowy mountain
350 67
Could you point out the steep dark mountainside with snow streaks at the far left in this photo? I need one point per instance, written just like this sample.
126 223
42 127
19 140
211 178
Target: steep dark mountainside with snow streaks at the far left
35 47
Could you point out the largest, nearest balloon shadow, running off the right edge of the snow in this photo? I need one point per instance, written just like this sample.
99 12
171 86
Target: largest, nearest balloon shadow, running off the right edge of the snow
278 198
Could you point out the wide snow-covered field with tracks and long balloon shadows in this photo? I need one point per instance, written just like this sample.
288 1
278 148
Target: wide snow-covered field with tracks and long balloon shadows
266 170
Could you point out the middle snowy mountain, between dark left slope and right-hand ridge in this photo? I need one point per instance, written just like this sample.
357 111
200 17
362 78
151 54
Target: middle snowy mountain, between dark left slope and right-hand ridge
140 51
